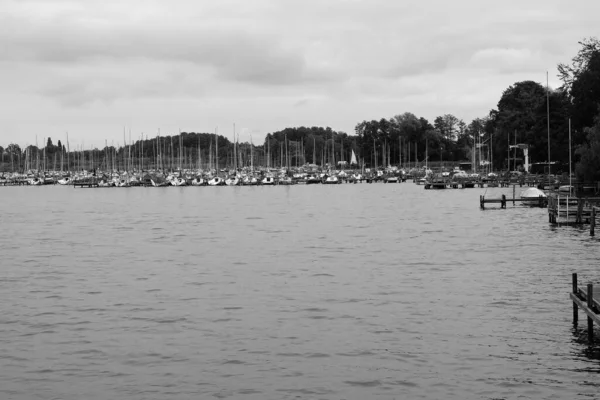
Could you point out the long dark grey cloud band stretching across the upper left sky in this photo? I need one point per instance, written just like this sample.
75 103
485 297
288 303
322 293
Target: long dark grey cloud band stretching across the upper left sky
233 55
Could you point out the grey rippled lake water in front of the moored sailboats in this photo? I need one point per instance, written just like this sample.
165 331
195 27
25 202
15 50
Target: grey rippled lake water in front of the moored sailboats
304 292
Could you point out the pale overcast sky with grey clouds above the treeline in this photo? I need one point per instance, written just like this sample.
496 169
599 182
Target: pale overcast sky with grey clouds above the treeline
94 67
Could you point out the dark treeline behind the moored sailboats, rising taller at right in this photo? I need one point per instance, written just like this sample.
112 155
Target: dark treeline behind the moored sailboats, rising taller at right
527 113
